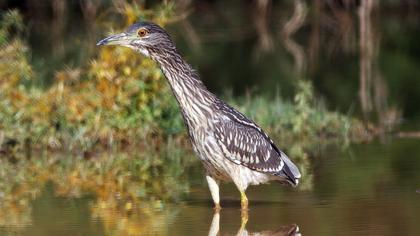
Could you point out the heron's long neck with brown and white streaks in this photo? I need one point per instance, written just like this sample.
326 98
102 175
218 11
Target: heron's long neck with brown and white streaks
193 97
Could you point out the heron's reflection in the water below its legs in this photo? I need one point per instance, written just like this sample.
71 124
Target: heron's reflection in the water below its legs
289 230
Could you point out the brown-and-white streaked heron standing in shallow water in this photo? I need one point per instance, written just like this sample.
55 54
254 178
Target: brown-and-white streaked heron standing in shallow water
232 147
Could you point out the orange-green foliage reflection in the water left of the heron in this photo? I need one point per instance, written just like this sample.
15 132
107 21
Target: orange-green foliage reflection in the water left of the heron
34 191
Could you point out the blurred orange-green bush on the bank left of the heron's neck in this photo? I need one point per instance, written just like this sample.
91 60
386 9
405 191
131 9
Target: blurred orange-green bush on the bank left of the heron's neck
119 97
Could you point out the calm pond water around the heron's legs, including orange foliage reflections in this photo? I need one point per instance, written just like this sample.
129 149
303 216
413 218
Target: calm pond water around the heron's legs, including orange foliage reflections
372 191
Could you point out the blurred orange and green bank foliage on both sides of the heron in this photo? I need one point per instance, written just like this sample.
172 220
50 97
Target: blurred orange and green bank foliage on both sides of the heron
122 98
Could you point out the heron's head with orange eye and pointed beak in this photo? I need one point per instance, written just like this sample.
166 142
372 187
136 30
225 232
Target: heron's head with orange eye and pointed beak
144 37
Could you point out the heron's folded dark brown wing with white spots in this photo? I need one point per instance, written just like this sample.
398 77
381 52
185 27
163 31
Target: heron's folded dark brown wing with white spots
244 143
